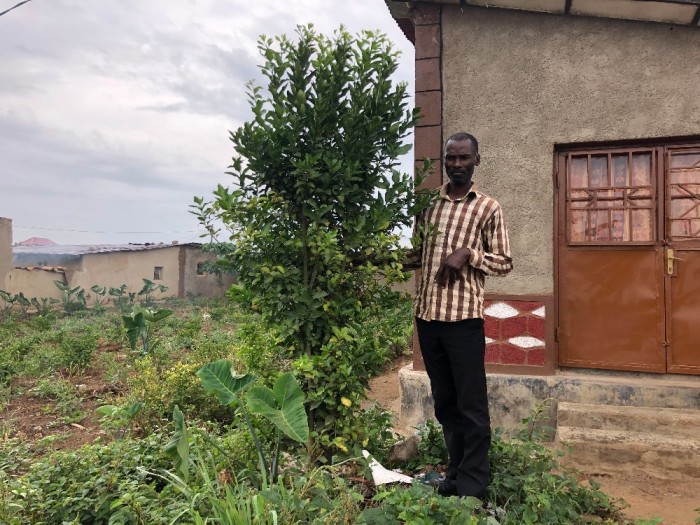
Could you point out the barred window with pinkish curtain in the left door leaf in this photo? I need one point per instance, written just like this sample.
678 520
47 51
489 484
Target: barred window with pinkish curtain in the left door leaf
611 197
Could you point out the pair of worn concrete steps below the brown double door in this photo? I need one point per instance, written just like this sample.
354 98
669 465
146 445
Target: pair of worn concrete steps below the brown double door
658 439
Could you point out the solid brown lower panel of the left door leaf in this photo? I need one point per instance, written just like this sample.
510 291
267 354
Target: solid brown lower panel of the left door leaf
612 316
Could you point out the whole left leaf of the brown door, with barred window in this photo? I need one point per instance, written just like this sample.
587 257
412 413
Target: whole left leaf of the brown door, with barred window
610 272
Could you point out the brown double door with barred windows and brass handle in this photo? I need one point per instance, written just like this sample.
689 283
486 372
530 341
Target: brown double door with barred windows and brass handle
619 307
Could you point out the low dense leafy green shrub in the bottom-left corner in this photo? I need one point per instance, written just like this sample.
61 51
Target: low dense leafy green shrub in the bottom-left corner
96 484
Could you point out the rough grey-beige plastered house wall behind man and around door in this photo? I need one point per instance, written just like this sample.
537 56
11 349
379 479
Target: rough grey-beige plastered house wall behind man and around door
523 82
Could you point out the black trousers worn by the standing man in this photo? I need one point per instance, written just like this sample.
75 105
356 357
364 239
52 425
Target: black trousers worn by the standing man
453 353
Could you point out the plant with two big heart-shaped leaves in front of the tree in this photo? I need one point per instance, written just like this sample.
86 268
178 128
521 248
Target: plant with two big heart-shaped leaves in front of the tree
283 406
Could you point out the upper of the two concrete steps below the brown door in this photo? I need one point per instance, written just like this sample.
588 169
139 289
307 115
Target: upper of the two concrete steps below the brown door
674 422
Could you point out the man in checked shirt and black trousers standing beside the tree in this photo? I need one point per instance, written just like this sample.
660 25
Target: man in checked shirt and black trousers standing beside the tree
468 241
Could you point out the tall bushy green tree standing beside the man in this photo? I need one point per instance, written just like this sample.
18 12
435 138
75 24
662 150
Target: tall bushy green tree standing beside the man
311 223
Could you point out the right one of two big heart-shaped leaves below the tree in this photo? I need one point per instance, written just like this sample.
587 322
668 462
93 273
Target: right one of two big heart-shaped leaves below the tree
284 406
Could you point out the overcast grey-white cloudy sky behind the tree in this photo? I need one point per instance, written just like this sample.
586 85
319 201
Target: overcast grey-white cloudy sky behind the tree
115 113
